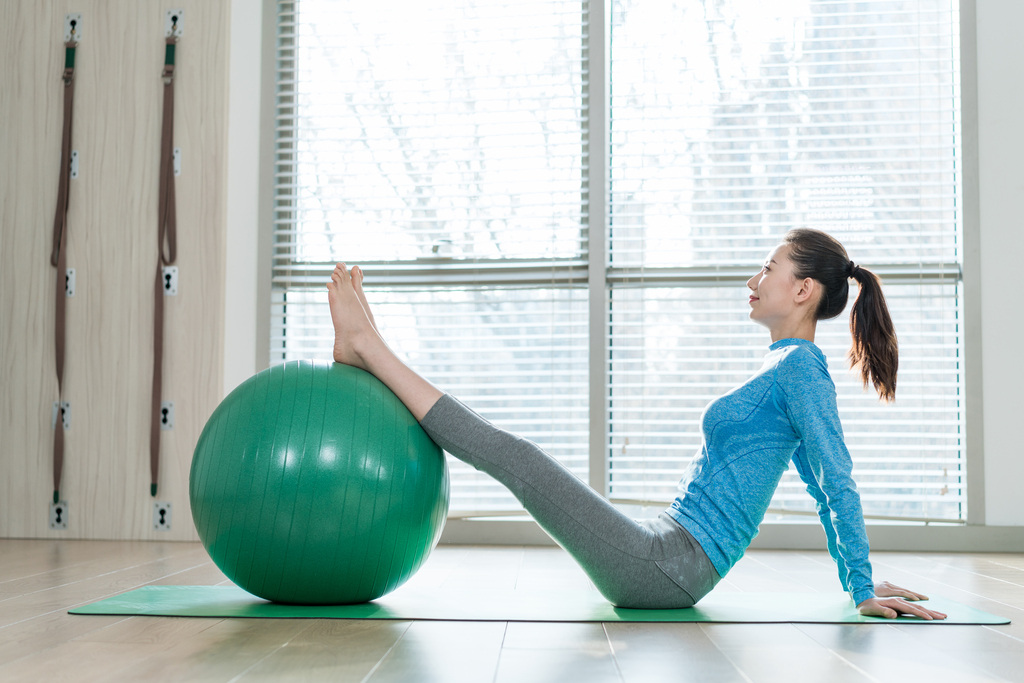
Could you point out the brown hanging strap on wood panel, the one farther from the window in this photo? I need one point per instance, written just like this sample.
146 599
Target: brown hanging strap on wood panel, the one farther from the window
59 258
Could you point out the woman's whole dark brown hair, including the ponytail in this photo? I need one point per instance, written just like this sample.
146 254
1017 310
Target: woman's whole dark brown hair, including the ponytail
875 352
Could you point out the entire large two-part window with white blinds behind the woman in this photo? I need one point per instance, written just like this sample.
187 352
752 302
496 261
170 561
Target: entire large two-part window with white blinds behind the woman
455 151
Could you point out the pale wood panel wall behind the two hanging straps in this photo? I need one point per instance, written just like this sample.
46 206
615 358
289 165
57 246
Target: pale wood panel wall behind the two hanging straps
112 244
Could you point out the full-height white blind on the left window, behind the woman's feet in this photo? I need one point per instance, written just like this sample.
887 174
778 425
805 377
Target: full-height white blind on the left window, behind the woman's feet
442 147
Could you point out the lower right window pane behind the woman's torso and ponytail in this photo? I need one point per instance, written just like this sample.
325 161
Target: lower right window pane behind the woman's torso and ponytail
673 351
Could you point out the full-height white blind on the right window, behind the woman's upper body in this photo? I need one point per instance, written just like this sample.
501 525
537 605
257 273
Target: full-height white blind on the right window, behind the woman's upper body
734 122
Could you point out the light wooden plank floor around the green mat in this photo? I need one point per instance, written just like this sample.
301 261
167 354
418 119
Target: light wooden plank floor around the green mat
40 642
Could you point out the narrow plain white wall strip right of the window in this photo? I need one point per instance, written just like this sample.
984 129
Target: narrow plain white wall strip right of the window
1001 178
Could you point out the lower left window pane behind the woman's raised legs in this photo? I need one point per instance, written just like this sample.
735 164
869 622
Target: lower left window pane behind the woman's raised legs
518 357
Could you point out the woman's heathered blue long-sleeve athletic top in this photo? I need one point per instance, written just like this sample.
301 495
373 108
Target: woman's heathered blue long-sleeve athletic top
787 412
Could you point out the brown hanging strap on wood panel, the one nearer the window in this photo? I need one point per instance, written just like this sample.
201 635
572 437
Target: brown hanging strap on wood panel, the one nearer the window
168 229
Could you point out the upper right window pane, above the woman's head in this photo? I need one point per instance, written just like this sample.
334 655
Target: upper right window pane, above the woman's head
736 121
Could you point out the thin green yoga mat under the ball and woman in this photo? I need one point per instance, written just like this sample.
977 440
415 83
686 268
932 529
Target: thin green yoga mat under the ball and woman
508 606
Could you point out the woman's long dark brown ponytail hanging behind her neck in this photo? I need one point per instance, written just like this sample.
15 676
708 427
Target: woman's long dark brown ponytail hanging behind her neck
875 350
